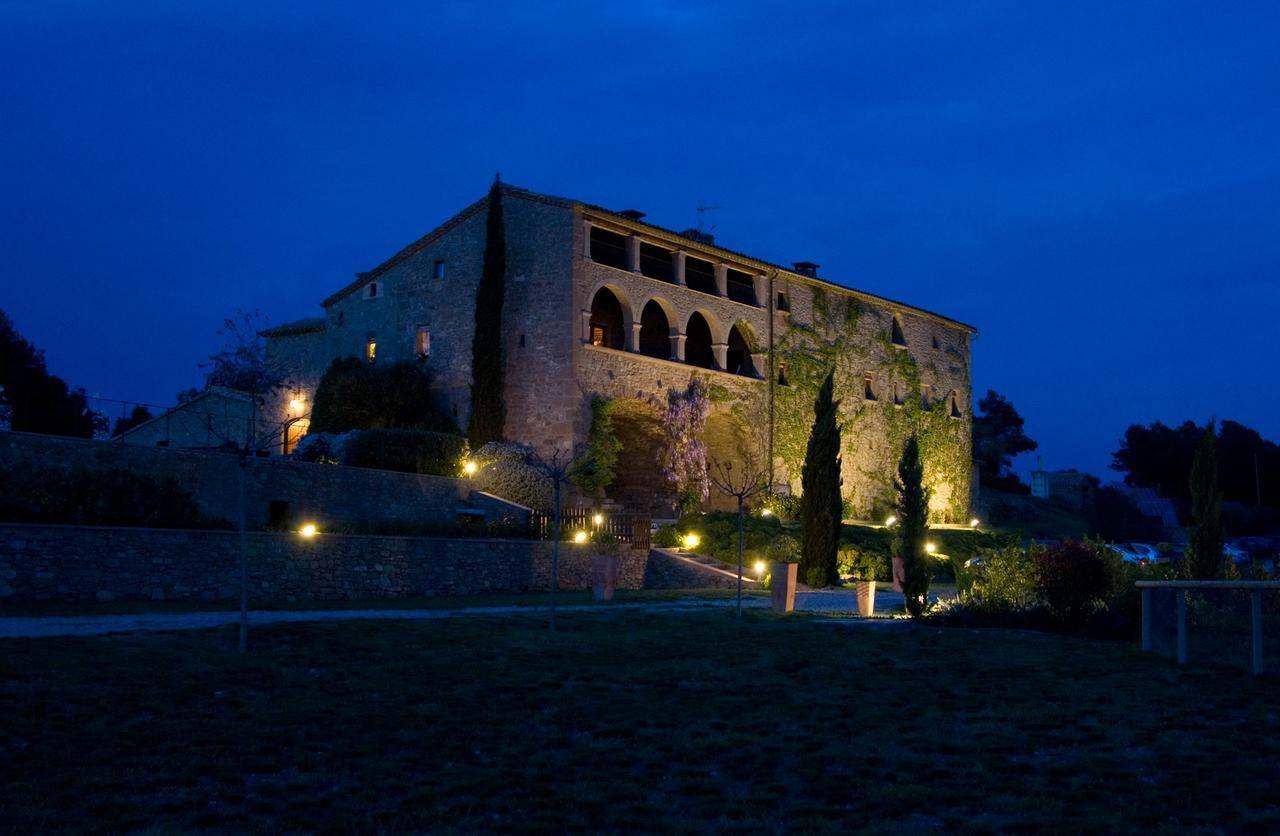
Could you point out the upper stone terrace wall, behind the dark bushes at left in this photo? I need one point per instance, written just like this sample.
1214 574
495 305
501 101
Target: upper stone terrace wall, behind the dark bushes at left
326 495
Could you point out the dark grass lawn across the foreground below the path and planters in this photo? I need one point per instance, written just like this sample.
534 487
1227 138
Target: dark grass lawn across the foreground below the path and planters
627 721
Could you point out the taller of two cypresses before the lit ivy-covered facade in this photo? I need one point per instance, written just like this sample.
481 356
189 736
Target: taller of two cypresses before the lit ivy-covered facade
820 481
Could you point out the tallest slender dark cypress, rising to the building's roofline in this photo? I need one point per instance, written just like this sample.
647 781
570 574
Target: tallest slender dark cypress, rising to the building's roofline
488 409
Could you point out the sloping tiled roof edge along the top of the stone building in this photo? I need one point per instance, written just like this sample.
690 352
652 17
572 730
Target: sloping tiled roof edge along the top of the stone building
627 220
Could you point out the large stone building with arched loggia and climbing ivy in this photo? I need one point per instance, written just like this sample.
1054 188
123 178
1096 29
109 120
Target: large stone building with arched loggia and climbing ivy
600 303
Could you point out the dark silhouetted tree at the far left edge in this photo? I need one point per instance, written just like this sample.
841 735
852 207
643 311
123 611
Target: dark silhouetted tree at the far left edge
38 401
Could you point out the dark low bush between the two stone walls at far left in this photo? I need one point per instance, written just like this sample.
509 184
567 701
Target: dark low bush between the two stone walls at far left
81 496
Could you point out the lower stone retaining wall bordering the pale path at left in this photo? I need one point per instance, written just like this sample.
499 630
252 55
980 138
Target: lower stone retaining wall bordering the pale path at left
115 564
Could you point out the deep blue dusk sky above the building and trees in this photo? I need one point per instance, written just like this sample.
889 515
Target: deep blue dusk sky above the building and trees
1095 185
